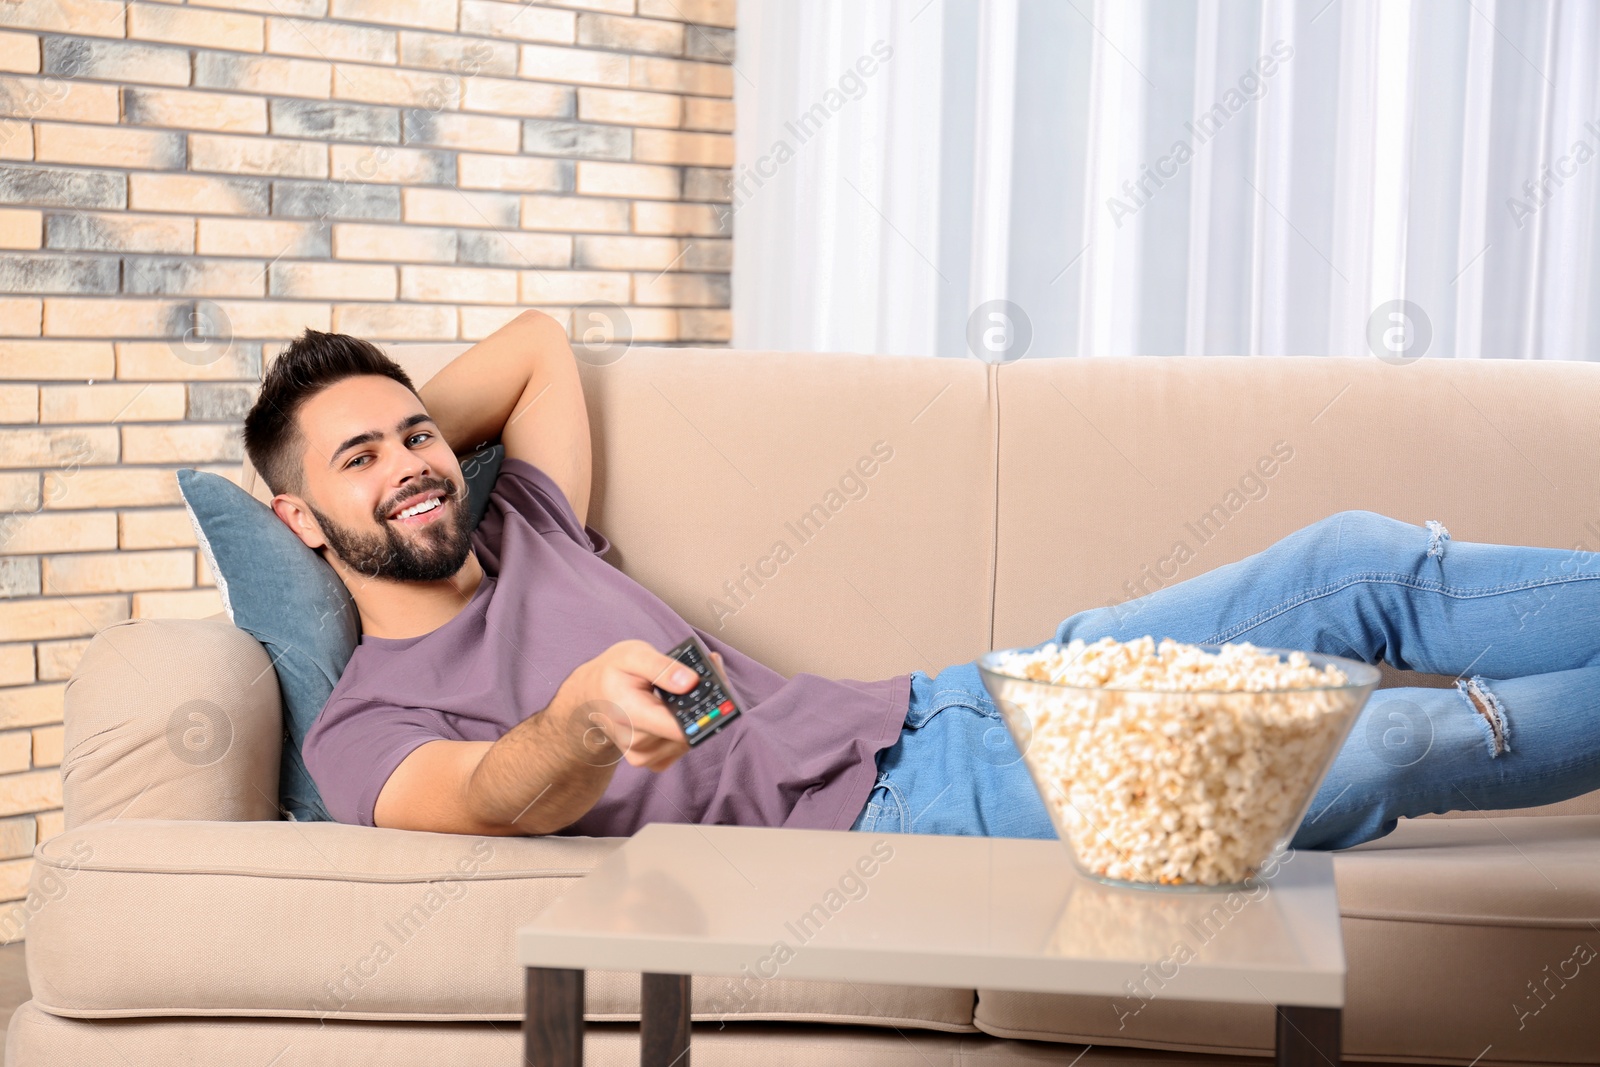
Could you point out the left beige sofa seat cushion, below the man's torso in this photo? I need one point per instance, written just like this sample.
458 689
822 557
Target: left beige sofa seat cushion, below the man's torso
326 921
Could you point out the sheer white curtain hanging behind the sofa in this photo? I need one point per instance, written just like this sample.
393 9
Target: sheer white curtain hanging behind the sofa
1007 178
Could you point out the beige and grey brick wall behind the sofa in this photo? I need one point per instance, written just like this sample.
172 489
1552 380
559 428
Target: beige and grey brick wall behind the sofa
185 188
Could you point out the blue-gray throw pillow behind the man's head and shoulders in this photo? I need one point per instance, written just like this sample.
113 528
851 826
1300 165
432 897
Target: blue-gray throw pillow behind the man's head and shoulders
289 599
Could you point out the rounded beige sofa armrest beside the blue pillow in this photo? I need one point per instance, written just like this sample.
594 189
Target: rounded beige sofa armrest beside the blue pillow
172 719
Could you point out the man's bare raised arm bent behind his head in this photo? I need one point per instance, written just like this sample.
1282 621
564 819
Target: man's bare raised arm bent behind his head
519 385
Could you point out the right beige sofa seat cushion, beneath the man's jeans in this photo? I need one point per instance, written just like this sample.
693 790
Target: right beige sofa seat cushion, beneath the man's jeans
1466 941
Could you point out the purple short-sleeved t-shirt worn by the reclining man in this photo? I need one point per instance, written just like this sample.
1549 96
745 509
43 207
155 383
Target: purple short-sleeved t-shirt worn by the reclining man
801 754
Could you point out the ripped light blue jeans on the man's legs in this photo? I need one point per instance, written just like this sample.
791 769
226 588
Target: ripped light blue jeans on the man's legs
1519 628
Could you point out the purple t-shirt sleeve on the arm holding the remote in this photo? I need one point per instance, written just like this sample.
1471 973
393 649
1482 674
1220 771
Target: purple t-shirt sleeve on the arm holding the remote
354 748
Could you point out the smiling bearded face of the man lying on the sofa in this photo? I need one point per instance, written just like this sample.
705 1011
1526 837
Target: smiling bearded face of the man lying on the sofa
370 454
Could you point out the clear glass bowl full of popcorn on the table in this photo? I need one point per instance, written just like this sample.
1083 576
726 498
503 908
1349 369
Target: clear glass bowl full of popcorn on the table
1172 765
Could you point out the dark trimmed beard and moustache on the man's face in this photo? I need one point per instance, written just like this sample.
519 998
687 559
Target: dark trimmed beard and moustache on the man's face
430 554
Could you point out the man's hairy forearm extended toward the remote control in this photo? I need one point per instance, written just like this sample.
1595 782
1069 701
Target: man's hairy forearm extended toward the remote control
545 775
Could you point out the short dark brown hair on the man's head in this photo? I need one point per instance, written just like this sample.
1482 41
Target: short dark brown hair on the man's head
313 362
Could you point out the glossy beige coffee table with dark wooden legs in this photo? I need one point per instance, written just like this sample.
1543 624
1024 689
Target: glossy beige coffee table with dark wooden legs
921 909
